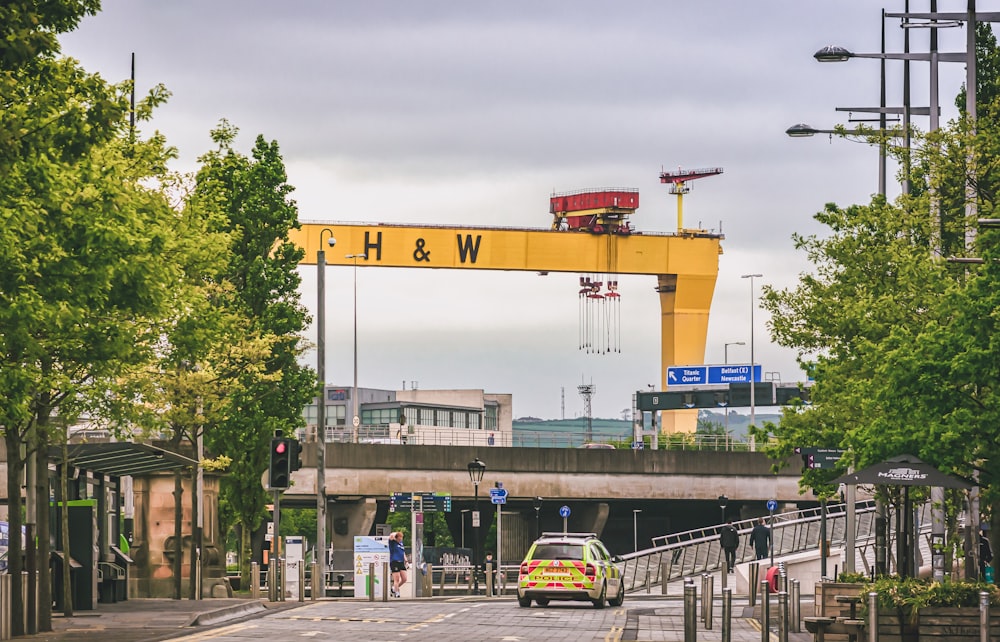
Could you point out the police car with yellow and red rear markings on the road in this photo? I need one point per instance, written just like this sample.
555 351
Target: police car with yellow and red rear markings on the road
569 566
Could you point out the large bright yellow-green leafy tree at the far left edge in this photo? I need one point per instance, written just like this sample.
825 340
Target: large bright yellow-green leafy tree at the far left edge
84 265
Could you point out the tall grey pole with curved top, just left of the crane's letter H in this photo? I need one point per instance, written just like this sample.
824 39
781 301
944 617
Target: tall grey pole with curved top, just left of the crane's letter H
321 411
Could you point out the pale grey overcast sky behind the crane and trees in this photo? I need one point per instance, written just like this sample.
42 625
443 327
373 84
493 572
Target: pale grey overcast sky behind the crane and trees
467 112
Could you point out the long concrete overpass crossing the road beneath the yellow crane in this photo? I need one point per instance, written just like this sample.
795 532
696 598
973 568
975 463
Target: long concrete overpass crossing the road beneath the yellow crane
674 490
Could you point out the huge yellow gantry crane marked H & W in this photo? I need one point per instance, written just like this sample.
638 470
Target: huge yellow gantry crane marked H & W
685 264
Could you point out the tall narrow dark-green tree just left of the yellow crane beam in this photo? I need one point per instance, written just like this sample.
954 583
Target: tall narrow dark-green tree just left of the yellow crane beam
252 194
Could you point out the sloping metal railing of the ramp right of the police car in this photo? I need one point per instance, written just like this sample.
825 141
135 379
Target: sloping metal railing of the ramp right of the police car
679 555
